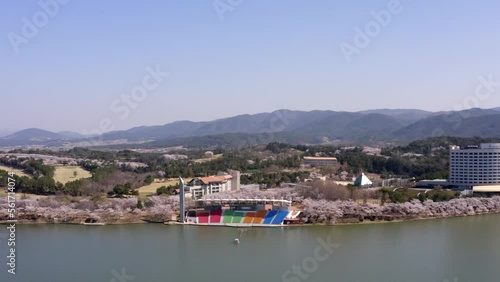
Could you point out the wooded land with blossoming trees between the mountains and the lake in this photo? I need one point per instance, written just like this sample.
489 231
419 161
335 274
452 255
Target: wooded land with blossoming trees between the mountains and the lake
107 185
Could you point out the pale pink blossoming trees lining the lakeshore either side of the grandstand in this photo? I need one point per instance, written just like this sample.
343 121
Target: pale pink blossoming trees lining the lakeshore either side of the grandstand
161 209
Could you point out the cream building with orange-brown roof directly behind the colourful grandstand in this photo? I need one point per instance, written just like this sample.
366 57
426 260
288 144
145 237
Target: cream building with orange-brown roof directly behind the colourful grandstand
200 186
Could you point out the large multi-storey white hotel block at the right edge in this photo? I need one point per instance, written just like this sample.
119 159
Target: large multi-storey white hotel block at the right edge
475 165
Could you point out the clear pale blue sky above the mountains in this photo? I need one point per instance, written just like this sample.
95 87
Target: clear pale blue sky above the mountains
72 66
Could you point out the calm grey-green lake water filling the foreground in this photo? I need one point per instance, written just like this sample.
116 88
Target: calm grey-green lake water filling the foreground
457 249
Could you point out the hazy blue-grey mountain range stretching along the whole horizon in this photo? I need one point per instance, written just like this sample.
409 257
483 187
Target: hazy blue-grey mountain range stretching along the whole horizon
316 127
